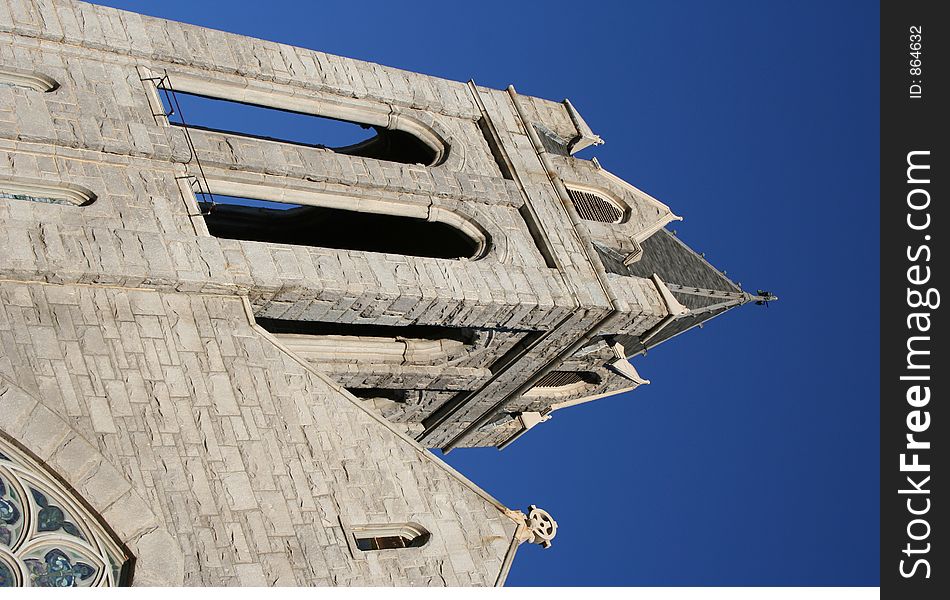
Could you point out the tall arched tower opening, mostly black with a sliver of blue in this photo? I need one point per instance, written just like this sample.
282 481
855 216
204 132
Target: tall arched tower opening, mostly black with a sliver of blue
324 227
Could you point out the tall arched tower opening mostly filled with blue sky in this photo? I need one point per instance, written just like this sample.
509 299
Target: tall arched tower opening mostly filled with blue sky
198 111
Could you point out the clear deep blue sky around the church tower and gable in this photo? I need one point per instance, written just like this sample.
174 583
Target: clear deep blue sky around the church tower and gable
752 459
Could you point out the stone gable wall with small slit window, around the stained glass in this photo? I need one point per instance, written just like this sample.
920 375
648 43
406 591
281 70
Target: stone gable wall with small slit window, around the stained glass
216 457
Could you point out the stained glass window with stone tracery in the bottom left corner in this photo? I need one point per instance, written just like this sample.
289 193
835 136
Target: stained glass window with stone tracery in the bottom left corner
47 538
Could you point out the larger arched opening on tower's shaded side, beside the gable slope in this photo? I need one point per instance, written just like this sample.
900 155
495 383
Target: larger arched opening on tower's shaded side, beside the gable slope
322 342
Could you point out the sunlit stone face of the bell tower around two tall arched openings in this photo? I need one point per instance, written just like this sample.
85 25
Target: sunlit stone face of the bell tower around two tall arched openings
99 129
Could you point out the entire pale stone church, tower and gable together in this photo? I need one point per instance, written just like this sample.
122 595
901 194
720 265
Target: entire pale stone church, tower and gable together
222 354
